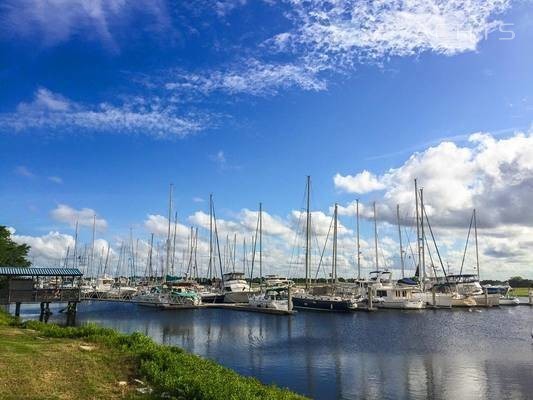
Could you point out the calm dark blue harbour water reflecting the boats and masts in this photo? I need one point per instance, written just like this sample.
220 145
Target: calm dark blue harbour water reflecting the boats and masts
483 354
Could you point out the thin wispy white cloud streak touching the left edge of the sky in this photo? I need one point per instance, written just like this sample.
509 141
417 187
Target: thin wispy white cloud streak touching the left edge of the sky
53 112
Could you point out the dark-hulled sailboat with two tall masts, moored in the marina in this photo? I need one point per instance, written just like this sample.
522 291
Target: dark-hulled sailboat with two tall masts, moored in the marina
321 298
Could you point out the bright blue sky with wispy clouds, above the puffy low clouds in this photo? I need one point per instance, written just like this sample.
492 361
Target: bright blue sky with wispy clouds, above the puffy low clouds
103 105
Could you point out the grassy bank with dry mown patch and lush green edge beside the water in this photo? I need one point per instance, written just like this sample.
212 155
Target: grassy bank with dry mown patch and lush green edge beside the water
46 361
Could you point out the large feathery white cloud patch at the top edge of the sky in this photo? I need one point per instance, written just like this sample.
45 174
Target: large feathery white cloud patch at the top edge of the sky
348 31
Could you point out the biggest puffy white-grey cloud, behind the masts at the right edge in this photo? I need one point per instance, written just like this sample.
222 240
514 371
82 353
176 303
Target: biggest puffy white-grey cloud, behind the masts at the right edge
495 176
